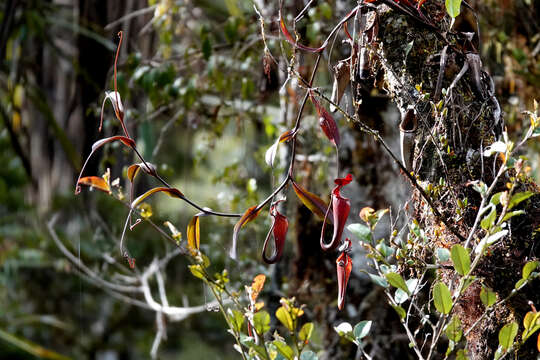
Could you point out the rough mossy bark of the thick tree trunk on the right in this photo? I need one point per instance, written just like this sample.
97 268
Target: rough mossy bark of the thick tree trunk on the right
448 153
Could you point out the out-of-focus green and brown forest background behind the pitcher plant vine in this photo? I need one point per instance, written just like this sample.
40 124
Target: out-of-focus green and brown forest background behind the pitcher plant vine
203 109
